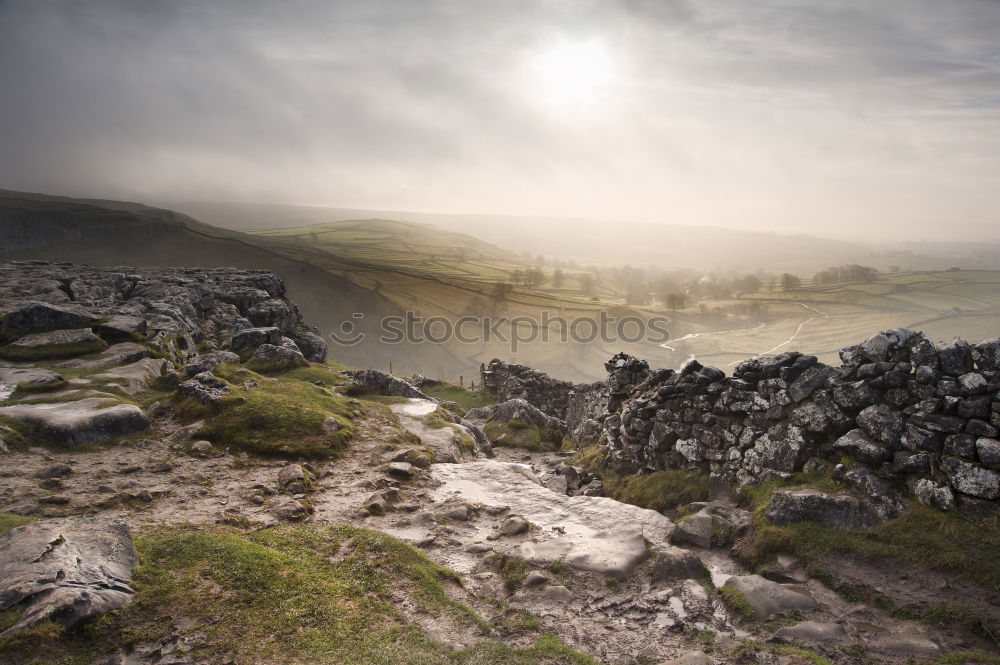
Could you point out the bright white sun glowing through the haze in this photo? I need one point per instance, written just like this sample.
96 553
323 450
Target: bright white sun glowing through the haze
573 76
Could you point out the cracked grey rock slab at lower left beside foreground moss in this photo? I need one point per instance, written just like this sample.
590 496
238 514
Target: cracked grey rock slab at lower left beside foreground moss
68 570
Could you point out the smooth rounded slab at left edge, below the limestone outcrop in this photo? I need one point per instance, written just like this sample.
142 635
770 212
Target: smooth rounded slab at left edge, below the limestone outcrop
90 420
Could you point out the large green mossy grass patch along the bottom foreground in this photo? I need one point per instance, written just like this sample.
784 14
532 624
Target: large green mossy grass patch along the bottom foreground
306 593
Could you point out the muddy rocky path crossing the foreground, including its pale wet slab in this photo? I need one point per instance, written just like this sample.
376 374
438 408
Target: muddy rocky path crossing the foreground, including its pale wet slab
598 573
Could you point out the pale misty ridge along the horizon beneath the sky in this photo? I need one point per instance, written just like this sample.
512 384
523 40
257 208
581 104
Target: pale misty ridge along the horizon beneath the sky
620 243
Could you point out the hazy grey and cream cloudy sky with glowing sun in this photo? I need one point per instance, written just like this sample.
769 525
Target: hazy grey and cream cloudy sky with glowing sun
880 118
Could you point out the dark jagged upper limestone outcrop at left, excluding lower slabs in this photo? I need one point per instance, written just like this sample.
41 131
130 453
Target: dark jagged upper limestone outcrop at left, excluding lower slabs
186 307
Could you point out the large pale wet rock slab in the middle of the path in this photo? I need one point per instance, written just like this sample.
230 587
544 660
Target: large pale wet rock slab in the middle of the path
595 533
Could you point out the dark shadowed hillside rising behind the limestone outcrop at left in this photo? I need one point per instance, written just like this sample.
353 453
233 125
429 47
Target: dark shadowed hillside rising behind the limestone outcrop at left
108 233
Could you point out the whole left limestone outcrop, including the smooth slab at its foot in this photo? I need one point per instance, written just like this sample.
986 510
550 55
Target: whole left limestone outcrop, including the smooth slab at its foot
138 324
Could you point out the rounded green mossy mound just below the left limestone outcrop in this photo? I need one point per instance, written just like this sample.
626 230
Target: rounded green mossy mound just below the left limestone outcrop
278 417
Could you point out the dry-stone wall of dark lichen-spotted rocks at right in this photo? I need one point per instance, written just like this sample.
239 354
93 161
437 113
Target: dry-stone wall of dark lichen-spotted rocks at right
902 409
